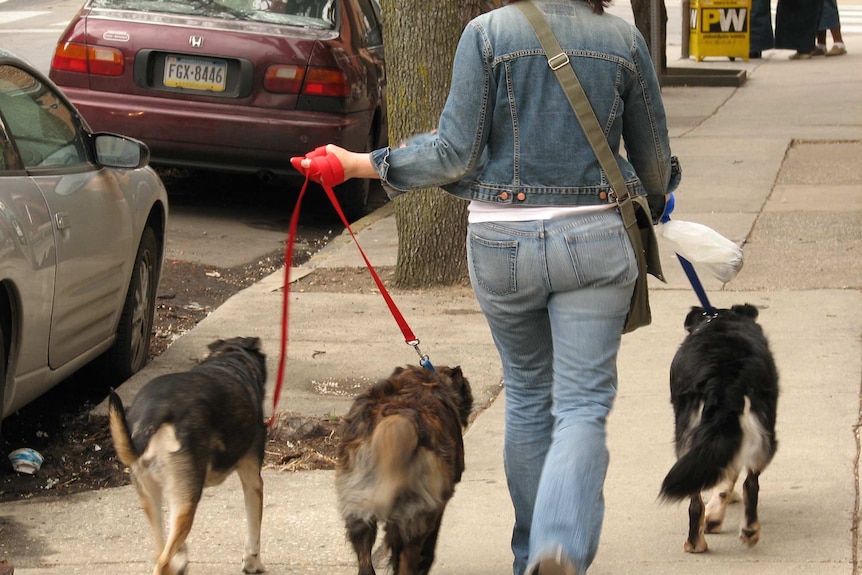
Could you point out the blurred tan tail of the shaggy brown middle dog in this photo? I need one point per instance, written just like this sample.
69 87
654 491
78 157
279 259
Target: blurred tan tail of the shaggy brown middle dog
393 444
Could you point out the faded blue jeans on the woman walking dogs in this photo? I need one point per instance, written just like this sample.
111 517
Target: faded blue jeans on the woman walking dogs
555 294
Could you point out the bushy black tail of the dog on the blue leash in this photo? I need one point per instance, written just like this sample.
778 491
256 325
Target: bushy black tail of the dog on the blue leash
713 443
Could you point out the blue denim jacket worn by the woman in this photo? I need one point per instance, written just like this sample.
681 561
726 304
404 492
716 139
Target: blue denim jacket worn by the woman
507 133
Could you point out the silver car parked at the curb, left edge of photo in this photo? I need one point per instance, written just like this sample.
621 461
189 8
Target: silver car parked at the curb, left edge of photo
82 236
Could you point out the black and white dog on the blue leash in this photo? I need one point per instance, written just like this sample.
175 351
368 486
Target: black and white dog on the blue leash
724 391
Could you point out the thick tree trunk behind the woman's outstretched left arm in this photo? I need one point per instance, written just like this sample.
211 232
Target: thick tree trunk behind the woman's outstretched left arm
420 40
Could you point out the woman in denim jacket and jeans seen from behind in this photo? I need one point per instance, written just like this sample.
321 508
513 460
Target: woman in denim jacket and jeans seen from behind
549 258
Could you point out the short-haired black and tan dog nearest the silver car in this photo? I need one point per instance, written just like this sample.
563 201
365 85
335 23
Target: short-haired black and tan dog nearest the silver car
186 431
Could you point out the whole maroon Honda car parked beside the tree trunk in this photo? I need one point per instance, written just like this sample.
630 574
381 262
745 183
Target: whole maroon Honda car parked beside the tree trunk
230 85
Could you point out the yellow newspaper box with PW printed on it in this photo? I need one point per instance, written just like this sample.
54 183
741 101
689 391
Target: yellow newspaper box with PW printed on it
720 28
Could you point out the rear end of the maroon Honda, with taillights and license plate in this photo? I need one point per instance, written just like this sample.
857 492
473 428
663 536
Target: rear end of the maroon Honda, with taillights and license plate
173 82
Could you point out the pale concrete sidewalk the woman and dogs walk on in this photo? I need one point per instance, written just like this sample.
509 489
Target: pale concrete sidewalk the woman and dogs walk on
774 163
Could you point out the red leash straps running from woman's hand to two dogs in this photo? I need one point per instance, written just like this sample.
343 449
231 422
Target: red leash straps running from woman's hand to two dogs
409 337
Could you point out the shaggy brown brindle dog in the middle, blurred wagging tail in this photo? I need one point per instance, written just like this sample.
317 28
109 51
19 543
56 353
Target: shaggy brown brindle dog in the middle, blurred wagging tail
400 457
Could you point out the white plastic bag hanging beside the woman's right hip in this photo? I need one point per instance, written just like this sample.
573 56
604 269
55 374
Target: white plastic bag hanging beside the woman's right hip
703 247
